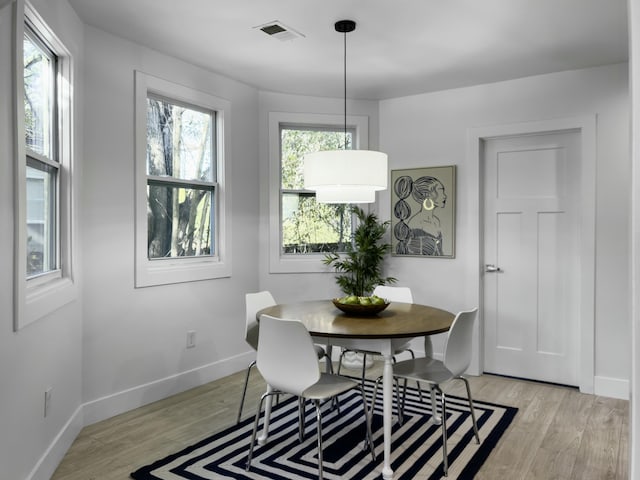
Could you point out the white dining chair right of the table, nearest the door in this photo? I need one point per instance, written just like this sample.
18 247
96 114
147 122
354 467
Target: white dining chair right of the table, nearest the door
456 360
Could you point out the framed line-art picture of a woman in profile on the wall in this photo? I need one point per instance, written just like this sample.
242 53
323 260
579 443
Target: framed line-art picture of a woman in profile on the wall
423 206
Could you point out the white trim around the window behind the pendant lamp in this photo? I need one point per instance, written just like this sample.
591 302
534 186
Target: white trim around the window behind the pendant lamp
309 262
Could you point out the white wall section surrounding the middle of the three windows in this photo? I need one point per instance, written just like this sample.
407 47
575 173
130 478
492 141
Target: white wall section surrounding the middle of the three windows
135 339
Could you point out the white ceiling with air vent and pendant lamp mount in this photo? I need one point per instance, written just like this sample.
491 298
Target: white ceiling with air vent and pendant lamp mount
400 47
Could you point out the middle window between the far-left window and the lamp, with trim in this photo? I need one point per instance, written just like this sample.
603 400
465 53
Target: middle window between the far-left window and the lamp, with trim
180 223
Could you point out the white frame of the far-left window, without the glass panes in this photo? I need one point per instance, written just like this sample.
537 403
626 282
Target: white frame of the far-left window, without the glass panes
37 296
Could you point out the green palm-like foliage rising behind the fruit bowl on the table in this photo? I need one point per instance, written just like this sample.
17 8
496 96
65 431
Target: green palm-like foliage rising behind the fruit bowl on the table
360 267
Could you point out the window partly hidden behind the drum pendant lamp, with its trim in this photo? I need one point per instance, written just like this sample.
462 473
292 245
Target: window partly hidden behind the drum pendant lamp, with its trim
302 230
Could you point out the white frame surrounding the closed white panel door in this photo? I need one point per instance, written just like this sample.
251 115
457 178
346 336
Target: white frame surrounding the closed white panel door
586 126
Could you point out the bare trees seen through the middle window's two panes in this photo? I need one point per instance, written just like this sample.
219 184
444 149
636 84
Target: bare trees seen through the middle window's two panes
180 180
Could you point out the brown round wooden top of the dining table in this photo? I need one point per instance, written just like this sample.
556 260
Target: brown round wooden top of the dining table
398 320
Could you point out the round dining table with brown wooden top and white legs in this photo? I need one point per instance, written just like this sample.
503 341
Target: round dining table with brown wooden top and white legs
382 332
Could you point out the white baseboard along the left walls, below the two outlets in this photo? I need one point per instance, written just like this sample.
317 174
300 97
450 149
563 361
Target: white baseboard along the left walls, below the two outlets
120 402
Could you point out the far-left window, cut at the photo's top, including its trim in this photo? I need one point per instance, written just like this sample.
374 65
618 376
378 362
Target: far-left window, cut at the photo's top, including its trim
44 134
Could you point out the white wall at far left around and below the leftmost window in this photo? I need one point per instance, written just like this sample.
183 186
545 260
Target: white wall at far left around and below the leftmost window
47 353
